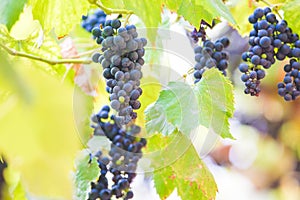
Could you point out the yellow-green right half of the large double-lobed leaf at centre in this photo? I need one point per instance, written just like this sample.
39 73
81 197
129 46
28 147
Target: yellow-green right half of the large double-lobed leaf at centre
216 101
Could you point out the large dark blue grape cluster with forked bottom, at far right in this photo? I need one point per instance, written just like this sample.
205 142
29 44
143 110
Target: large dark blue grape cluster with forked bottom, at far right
270 40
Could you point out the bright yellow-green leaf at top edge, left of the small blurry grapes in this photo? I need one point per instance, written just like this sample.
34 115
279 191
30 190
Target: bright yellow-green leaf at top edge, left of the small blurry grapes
59 15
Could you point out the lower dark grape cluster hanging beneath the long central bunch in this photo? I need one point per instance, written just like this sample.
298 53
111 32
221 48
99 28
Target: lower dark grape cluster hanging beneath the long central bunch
125 152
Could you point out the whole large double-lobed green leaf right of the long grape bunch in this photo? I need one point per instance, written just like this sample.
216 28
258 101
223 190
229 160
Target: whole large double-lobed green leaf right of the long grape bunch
209 103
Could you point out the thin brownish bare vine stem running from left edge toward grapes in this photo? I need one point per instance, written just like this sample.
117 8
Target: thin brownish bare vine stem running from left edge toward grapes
14 52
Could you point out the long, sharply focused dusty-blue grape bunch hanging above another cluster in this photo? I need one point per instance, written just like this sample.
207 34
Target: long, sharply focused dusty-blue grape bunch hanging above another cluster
122 60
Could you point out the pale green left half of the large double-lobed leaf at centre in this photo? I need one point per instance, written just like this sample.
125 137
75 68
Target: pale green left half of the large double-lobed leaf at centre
175 107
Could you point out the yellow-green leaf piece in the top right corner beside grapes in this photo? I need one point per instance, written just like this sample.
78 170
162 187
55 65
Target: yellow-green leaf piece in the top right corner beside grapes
292 15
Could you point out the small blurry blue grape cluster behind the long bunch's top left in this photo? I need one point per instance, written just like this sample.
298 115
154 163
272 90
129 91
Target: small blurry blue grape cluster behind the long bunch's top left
93 20
